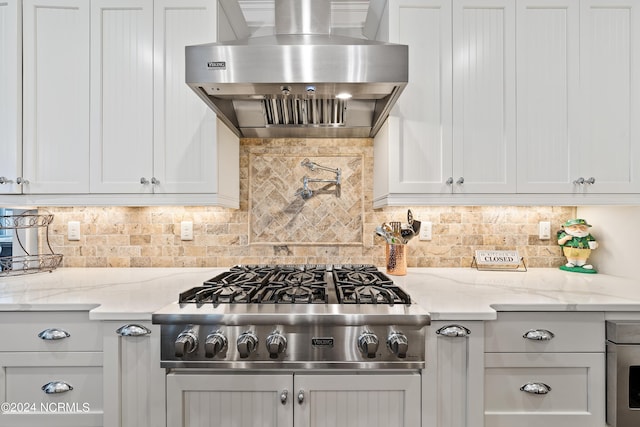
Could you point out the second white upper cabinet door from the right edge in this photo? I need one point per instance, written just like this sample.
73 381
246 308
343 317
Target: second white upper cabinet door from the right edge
548 84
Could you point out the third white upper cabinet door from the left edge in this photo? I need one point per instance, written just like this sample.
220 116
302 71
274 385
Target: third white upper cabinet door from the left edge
121 96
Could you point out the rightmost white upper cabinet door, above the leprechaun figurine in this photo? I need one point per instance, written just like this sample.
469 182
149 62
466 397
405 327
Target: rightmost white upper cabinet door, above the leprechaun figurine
609 146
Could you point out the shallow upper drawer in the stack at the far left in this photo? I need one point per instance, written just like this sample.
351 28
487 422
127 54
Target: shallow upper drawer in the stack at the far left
20 331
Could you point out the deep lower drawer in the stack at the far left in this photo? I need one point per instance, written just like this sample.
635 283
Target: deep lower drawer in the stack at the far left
51 389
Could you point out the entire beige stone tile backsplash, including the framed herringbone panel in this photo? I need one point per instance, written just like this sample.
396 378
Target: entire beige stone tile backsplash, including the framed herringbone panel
274 225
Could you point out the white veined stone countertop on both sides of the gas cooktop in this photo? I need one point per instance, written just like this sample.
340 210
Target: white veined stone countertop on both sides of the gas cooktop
446 293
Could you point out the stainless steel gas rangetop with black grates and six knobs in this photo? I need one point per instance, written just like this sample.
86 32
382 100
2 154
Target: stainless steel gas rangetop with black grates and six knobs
294 316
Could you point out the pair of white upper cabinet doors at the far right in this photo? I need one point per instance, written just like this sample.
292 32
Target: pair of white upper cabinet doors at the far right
578 96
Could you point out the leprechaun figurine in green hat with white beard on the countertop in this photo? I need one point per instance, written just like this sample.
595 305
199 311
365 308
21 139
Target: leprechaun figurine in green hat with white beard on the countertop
577 243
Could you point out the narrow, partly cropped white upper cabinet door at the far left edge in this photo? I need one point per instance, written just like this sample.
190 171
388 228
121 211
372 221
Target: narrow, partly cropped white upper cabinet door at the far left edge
10 97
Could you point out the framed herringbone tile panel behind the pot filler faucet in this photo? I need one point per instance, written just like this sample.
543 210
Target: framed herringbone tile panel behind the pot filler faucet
278 214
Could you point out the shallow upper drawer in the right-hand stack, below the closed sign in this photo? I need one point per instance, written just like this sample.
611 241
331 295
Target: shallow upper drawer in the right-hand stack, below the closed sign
572 332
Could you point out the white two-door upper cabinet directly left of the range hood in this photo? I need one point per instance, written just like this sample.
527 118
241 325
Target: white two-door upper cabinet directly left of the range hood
149 132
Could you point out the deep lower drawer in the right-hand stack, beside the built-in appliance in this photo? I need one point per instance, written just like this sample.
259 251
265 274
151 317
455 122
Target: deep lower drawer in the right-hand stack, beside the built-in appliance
576 395
